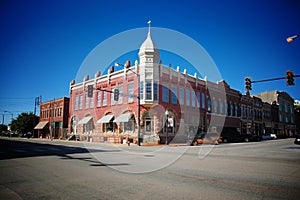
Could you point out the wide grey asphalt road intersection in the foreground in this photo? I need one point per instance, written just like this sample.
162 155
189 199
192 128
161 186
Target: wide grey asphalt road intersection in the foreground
43 169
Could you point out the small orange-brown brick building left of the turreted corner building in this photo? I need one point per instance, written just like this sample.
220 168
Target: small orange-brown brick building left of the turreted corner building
53 118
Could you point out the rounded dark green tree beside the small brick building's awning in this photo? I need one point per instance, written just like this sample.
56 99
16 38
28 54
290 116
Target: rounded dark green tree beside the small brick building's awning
24 123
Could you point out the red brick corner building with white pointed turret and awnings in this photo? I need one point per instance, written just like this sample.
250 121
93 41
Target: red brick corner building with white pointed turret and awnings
173 104
